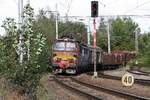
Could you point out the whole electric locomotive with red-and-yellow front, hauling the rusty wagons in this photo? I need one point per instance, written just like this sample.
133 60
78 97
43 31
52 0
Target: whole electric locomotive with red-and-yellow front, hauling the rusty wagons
69 56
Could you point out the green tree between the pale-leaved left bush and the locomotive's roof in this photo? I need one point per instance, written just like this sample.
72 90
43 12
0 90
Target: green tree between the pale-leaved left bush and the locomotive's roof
45 26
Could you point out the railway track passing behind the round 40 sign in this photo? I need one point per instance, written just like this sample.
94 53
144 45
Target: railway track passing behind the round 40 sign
137 81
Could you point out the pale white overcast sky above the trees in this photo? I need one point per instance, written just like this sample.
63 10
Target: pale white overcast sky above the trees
9 8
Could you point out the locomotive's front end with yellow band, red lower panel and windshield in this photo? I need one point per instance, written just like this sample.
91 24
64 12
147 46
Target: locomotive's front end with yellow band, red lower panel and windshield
65 56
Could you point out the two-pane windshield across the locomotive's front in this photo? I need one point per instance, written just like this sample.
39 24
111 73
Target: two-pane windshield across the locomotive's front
64 46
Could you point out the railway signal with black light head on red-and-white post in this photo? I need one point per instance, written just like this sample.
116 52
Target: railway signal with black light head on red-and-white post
94 14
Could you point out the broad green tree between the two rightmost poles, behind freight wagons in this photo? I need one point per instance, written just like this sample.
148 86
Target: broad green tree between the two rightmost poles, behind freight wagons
123 34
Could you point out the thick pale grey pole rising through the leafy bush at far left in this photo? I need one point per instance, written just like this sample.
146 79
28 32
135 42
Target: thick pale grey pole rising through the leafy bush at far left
20 20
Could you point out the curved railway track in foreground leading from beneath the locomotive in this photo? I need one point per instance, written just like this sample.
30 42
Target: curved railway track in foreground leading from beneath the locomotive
93 92
